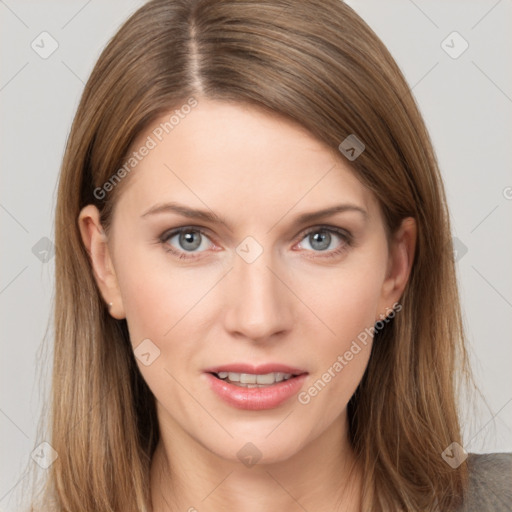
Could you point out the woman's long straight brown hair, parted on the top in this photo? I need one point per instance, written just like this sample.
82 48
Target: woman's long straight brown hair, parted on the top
315 62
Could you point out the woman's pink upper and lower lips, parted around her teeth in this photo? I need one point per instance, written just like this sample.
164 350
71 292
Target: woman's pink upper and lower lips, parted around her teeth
256 399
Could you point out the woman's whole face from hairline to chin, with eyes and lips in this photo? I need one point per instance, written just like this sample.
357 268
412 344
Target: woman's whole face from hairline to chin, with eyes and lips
265 290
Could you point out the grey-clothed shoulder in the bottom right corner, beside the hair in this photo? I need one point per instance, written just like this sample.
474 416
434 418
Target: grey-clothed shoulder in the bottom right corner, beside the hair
490 483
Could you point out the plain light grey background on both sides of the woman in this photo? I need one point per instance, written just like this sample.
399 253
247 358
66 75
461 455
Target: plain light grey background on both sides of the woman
467 106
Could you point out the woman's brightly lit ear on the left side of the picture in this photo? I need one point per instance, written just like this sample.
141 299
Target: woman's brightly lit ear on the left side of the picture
96 243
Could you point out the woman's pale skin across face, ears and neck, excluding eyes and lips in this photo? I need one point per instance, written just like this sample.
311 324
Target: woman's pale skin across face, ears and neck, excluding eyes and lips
295 304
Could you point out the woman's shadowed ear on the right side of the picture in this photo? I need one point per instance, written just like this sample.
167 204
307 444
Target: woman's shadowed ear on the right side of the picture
401 256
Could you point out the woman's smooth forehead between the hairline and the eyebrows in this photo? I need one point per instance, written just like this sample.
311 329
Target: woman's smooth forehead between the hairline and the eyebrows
237 159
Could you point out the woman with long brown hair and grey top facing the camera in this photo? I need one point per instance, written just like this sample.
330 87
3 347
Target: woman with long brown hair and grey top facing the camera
256 304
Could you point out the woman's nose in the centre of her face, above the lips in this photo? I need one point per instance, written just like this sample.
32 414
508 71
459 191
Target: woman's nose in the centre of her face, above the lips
260 306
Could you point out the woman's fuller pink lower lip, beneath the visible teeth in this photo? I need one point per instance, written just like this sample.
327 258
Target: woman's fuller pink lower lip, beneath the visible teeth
256 399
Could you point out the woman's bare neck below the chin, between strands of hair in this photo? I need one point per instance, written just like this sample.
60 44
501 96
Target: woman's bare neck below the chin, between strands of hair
324 475
